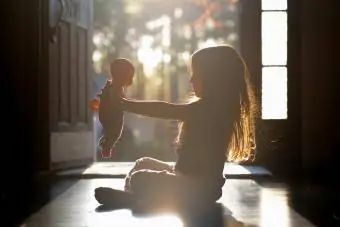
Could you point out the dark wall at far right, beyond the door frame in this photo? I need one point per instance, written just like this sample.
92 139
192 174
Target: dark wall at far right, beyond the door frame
319 46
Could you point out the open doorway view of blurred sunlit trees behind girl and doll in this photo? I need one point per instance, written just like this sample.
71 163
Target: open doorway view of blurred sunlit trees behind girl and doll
159 37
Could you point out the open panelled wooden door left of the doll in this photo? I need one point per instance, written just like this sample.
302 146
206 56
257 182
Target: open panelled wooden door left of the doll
70 81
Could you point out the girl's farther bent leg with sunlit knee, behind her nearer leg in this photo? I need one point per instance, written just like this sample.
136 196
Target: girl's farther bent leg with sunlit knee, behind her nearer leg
147 164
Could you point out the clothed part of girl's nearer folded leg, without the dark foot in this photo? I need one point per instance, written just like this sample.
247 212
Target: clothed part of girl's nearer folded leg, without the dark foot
172 190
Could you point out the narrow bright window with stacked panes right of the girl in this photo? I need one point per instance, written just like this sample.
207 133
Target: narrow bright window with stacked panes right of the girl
274 59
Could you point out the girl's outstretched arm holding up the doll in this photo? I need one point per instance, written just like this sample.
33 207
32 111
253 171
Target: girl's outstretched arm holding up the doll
156 109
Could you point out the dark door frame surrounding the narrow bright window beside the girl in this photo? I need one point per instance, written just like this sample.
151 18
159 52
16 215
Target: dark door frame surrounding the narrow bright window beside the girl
278 141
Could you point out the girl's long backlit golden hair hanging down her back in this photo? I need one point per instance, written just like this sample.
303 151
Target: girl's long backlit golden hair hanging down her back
226 80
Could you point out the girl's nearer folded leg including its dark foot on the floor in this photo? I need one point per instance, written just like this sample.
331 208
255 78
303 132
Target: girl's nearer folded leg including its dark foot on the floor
162 189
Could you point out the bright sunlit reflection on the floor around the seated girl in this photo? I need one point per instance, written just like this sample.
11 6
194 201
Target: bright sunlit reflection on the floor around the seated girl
244 202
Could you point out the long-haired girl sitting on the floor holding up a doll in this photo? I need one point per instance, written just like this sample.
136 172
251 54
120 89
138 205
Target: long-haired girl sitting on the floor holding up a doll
218 123
